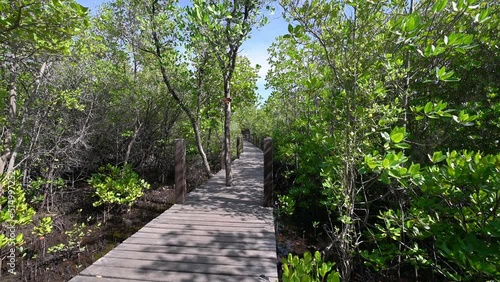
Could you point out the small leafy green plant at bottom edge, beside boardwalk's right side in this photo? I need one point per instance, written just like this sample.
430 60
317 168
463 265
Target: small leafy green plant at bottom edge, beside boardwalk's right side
308 269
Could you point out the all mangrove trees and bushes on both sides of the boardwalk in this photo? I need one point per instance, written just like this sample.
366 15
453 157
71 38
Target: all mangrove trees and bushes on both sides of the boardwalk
385 116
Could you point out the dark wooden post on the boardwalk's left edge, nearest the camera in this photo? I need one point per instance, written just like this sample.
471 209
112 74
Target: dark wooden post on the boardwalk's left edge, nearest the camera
180 171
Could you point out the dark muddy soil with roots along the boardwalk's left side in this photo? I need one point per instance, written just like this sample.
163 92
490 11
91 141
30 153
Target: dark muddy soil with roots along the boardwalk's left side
72 209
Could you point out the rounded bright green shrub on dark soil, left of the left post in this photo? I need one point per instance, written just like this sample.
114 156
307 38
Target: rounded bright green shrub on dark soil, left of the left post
117 186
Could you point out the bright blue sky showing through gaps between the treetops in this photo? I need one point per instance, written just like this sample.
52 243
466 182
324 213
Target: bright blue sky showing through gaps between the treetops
255 48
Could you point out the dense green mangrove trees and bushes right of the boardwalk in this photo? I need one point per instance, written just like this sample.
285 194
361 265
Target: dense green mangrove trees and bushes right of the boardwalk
386 118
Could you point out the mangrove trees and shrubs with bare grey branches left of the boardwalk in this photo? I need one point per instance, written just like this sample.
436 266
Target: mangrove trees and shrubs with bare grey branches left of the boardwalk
90 108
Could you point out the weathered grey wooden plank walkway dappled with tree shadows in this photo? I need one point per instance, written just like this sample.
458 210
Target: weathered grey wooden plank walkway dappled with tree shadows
220 234
